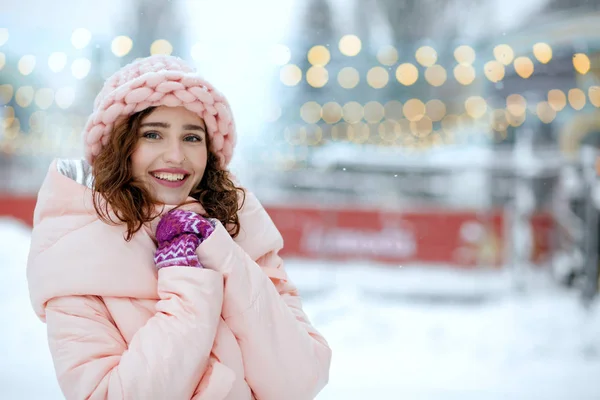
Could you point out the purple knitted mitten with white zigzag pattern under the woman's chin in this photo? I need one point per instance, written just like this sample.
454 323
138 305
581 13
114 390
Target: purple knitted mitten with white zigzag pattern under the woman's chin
179 233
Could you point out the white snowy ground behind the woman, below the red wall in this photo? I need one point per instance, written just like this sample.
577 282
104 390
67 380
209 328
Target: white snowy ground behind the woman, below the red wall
411 333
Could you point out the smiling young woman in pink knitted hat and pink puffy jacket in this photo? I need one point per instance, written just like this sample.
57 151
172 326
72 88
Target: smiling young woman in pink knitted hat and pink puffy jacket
156 275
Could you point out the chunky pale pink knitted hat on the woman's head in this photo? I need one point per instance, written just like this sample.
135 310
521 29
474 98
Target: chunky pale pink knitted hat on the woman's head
159 81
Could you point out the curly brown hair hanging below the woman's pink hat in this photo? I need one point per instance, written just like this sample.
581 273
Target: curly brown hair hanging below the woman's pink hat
117 192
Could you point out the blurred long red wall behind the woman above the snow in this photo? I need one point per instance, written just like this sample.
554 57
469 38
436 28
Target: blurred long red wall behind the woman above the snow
460 238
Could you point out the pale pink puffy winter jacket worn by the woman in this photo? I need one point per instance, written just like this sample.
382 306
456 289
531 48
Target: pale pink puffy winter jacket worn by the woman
117 329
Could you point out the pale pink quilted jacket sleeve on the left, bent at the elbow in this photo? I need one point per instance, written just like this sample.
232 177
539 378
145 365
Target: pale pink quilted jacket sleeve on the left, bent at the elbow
166 357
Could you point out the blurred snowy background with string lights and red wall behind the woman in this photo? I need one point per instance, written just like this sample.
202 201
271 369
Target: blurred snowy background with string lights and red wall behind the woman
432 165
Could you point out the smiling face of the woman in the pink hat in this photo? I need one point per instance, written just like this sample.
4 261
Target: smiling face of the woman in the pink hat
171 153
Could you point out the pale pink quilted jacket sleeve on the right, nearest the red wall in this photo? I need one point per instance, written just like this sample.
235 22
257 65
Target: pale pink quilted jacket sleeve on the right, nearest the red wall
284 355
